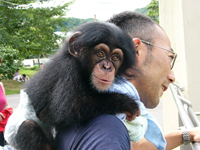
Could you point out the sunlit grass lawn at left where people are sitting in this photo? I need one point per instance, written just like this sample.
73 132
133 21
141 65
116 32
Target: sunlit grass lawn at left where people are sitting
14 87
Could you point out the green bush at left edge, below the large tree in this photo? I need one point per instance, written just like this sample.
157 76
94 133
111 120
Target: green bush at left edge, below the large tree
8 66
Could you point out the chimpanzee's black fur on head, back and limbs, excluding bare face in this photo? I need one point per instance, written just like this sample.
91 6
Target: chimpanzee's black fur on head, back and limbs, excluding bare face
61 93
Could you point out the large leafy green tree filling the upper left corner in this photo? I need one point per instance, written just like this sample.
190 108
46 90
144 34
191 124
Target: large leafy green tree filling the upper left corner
30 30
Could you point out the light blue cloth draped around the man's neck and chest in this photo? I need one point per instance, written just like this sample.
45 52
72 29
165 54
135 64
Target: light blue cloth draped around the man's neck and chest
153 133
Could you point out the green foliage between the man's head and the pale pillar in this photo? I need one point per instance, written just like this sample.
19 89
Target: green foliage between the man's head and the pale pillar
153 10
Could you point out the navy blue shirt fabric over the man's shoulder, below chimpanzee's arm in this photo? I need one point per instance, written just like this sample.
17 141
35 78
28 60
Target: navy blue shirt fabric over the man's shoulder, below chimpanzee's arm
105 132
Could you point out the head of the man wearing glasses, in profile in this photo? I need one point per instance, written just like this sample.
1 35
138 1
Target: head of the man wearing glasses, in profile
154 55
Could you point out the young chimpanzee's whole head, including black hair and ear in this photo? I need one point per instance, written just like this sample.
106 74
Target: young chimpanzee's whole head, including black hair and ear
103 51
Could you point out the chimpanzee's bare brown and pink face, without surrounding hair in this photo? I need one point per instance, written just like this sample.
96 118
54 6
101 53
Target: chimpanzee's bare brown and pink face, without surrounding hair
106 62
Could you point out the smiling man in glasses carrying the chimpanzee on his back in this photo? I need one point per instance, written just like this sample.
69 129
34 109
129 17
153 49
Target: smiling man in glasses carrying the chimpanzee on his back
155 61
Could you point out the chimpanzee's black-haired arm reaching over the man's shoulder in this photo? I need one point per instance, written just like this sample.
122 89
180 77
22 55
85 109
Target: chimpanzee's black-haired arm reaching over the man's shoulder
108 103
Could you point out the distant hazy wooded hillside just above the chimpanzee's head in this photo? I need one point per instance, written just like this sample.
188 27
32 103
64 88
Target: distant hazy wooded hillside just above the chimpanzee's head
71 23
